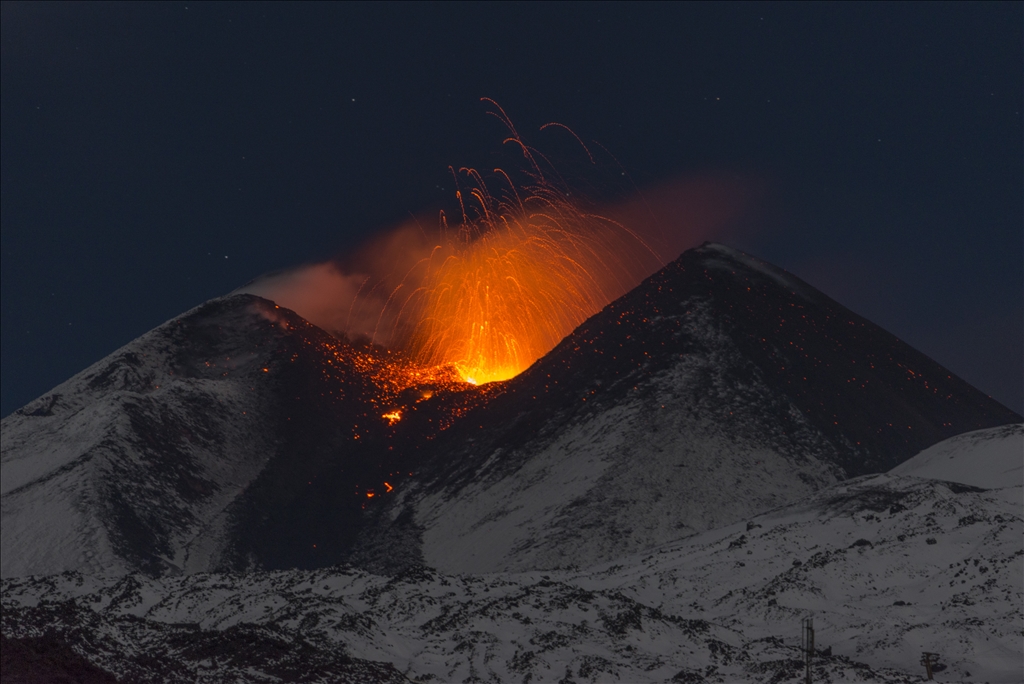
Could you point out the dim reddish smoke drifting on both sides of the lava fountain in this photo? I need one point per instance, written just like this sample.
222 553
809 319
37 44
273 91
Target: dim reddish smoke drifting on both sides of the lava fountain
363 295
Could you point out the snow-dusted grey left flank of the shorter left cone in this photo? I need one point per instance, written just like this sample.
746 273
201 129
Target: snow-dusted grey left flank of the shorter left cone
129 465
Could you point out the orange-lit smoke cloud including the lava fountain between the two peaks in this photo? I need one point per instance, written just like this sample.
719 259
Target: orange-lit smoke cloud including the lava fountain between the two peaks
523 268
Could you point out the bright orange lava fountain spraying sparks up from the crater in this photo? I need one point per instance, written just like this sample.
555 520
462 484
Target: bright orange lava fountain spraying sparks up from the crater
521 272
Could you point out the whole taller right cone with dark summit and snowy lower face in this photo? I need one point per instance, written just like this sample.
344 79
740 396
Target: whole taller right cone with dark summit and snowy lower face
719 389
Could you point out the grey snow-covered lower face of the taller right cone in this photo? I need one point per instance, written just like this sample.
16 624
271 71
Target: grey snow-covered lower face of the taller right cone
654 466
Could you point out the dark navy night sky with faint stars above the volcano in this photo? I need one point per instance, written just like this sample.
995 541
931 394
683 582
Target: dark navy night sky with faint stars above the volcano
143 144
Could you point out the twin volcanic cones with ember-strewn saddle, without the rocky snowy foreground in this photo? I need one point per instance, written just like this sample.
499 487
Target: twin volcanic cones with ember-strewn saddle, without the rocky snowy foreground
240 437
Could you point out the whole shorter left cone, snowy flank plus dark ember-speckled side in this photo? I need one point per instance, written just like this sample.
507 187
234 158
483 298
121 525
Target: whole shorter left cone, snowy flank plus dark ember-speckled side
184 451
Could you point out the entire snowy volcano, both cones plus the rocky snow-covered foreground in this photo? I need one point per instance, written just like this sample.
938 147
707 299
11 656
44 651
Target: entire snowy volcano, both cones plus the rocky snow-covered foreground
661 497
